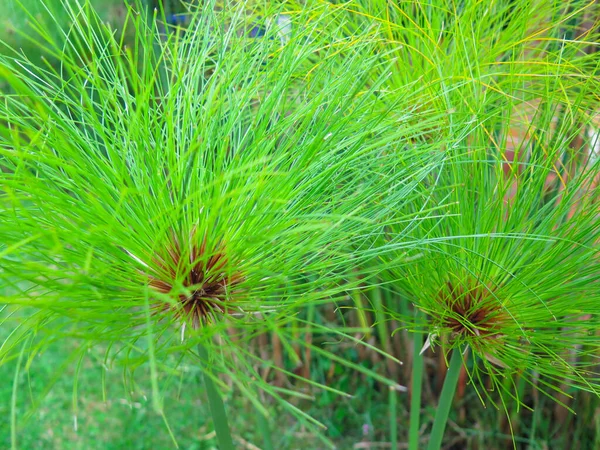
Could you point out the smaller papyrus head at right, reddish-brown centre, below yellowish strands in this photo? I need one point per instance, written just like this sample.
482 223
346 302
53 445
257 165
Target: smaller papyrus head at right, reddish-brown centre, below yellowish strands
509 282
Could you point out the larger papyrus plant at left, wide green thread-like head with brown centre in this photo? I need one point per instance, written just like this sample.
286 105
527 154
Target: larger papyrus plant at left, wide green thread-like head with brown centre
183 192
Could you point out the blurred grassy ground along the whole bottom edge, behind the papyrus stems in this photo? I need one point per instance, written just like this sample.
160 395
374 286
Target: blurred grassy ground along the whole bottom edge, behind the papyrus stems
121 422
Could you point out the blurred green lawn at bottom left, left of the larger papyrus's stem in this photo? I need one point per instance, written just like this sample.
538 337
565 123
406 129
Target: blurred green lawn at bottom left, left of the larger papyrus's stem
123 421
